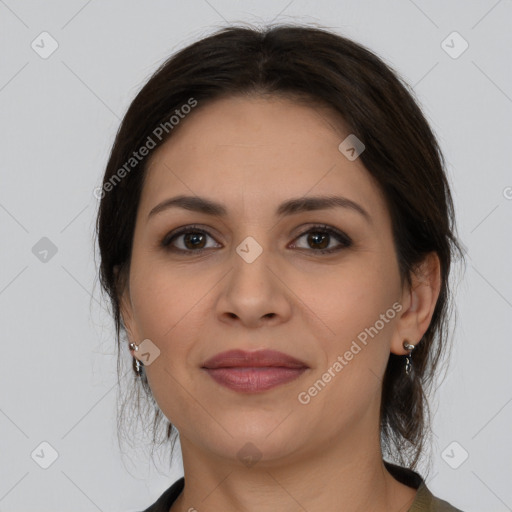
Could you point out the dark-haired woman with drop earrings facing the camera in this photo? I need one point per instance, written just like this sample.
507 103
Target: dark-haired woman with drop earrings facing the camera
276 232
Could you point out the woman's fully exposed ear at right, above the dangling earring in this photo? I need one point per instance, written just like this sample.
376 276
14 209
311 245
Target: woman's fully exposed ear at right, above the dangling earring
418 304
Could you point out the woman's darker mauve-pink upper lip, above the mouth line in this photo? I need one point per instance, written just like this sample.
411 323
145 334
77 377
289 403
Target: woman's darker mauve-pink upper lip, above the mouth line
258 358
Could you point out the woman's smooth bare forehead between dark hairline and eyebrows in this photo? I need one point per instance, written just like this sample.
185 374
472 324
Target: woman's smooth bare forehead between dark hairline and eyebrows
265 149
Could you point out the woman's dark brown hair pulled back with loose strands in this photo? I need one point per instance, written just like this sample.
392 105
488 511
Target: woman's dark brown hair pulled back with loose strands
314 65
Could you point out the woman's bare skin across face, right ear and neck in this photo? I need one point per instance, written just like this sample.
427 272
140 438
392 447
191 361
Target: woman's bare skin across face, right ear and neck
251 154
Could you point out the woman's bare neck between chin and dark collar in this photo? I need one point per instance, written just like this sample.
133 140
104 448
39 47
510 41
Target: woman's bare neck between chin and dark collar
347 475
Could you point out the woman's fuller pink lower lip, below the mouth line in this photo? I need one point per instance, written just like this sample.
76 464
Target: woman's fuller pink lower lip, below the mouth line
251 379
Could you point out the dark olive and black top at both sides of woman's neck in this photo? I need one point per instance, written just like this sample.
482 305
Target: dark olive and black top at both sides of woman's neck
425 501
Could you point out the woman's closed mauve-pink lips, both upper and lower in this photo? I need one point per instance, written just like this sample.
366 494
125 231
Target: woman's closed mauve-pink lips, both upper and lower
253 371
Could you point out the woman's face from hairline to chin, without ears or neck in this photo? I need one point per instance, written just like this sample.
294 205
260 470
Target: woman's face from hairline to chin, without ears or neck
262 282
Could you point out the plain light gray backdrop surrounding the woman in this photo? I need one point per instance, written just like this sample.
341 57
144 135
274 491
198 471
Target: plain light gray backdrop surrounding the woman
58 119
